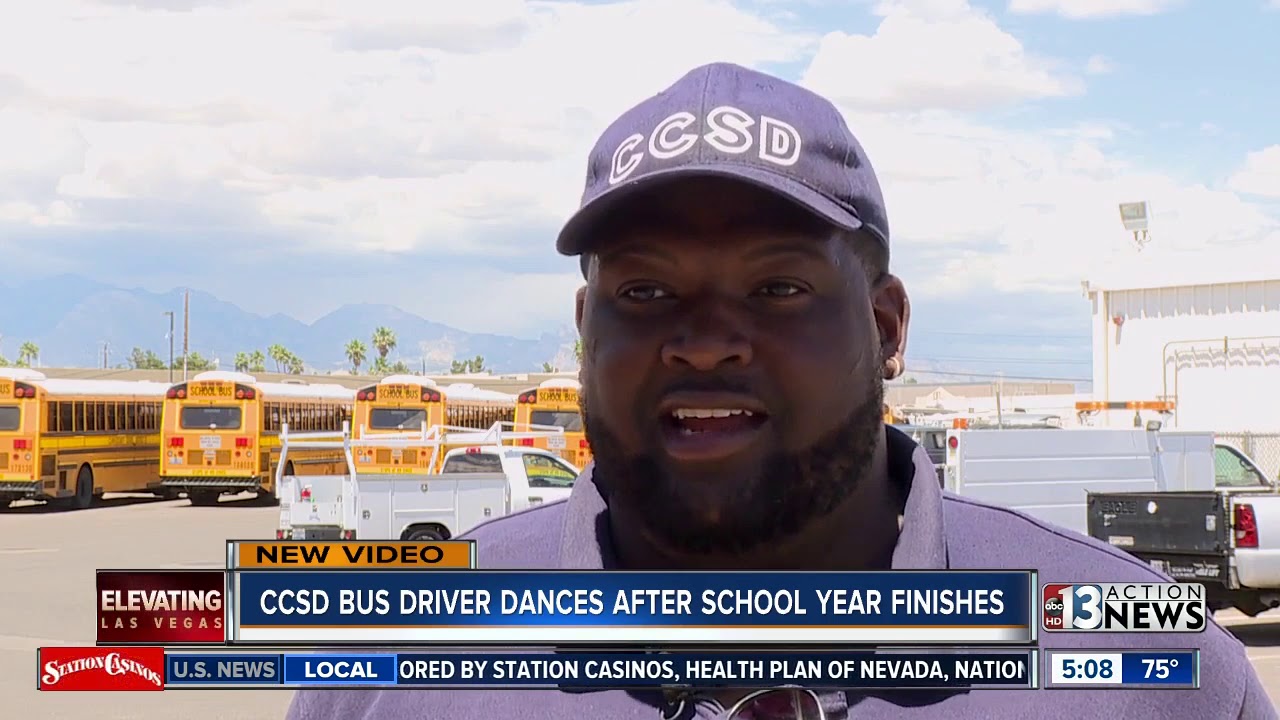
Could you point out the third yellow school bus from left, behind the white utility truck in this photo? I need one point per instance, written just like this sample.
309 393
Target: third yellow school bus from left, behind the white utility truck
405 405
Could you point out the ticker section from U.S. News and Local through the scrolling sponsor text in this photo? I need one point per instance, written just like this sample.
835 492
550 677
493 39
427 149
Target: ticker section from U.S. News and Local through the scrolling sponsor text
949 669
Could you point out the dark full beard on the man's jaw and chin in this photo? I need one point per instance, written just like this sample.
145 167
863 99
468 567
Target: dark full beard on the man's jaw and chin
788 493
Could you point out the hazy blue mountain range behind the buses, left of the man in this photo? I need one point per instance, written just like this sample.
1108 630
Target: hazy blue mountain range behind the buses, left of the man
71 318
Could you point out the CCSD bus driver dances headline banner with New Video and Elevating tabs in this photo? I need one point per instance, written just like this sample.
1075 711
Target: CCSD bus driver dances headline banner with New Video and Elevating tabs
418 594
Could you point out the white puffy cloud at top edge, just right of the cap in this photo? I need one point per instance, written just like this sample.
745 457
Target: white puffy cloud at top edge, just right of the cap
941 54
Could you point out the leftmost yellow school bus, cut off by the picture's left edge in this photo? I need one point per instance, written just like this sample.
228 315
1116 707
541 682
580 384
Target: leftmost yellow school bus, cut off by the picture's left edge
68 441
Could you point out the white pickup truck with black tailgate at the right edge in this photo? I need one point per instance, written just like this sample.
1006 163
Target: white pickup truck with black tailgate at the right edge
1227 537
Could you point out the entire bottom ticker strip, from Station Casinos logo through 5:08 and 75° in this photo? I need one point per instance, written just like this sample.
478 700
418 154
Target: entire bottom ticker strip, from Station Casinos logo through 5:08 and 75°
152 669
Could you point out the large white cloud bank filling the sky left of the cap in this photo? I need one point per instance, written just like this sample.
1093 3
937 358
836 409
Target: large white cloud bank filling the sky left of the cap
372 125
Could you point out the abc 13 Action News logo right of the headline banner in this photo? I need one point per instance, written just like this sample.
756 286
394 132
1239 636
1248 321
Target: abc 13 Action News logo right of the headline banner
1124 608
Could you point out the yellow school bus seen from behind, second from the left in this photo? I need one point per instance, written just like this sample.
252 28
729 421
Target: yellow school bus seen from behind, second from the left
221 434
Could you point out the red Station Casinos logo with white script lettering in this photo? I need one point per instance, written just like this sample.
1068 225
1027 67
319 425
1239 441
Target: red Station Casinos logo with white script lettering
102 668
